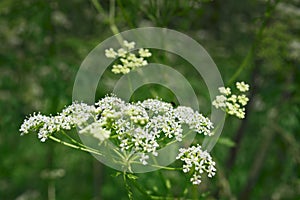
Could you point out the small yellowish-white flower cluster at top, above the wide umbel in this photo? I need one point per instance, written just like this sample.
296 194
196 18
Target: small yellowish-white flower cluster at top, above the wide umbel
129 61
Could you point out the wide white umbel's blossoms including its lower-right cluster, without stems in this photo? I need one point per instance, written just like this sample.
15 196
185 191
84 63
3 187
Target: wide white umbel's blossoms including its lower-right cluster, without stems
139 127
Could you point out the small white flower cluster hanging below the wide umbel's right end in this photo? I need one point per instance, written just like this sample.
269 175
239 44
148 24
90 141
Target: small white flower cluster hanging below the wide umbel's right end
198 160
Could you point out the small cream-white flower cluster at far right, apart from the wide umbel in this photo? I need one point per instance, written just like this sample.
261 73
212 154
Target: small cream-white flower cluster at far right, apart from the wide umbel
231 103
